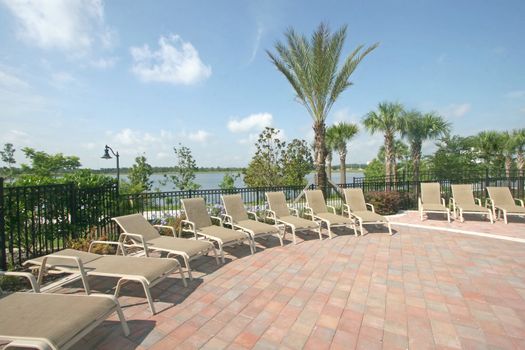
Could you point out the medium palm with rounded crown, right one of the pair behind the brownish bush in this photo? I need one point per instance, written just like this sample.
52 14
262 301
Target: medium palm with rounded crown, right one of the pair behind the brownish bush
417 128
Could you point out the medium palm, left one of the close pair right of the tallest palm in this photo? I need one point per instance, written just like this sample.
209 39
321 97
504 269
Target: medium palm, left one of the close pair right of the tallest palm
387 119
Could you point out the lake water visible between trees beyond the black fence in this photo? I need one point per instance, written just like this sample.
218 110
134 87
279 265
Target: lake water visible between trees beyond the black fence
211 180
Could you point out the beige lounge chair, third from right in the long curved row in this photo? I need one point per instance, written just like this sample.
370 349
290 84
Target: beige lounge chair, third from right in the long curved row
289 217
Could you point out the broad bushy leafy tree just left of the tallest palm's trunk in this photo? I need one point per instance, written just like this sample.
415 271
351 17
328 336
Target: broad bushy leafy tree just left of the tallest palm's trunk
276 163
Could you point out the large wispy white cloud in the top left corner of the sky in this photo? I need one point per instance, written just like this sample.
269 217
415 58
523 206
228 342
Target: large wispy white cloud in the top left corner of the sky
70 25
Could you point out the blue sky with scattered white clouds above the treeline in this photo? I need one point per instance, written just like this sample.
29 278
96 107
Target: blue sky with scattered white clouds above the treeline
144 76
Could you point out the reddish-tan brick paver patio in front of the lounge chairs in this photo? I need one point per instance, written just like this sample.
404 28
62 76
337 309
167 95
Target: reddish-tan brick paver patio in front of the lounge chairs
417 289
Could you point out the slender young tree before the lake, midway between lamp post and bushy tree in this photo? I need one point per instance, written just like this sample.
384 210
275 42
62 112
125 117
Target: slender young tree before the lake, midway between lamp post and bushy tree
184 177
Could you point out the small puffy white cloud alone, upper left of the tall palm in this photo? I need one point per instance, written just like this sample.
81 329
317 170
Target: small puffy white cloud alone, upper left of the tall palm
175 62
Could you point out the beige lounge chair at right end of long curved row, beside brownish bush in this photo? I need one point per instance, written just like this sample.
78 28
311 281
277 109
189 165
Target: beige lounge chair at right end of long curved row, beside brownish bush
357 208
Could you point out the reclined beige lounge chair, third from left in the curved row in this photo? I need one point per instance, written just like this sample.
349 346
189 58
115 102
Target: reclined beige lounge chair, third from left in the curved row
139 233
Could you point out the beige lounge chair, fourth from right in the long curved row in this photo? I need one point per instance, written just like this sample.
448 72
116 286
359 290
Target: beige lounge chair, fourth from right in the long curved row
238 217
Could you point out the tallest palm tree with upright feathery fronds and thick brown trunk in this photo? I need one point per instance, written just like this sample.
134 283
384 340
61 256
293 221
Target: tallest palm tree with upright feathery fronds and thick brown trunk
312 68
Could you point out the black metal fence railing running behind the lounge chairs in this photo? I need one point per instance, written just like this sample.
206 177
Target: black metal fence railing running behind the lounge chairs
37 220
